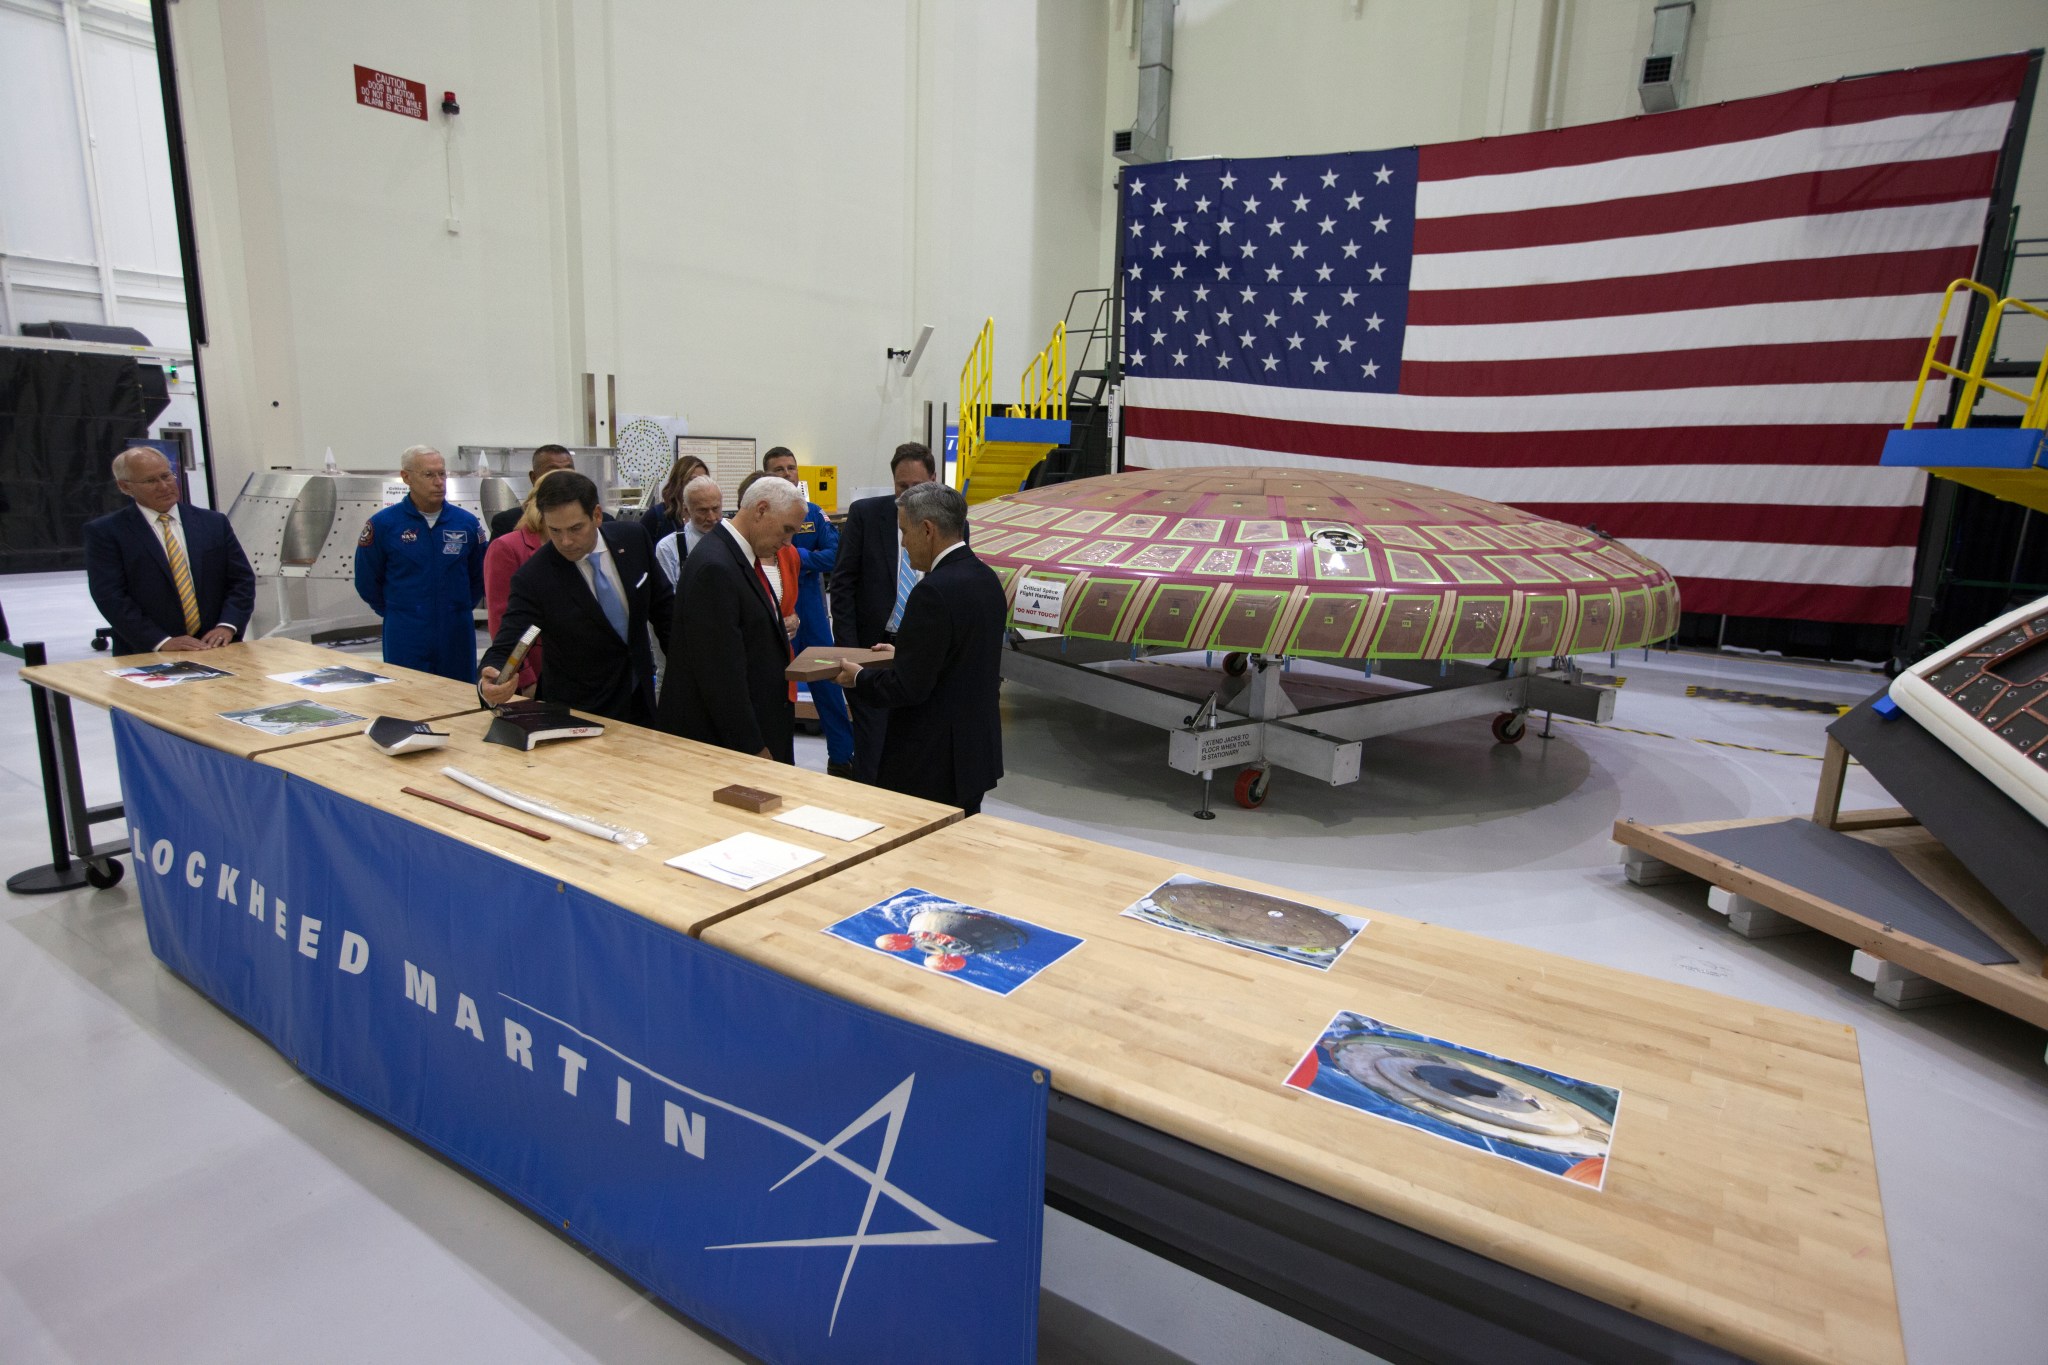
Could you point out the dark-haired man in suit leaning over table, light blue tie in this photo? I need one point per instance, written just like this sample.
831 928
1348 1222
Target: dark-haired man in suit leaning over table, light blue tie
595 592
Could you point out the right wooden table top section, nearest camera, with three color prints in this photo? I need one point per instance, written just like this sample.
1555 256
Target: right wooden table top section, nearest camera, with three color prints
1742 1198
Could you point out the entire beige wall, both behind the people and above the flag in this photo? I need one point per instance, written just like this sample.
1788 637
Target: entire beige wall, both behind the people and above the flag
738 208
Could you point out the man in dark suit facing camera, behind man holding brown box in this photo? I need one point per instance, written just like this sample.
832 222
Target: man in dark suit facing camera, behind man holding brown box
871 586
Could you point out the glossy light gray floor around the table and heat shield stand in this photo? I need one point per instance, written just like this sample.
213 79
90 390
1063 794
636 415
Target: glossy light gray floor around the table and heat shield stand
171 1190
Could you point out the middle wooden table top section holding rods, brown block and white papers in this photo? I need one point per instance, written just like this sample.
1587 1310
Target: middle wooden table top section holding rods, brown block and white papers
628 777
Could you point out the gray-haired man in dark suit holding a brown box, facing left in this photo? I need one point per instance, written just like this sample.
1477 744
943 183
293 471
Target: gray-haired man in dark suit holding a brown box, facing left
945 730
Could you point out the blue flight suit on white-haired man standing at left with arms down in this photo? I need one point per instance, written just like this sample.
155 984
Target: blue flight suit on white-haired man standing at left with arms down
425 582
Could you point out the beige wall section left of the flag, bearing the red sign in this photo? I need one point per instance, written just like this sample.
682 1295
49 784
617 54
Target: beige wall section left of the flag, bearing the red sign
732 208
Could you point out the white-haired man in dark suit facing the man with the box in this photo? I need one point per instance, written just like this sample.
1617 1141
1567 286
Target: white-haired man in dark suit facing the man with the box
728 654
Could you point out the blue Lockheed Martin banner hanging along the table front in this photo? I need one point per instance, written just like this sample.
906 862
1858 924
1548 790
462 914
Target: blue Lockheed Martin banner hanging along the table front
808 1178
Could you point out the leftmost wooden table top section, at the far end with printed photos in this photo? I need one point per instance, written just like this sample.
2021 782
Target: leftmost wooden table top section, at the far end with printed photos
194 711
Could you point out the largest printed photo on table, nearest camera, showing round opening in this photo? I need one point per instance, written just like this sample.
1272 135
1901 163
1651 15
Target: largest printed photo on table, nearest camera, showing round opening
1512 1110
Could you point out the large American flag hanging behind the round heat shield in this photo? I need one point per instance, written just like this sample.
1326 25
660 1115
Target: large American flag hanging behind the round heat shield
1689 331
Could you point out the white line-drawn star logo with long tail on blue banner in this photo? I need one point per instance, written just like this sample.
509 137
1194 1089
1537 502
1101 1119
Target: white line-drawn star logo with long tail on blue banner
894 1106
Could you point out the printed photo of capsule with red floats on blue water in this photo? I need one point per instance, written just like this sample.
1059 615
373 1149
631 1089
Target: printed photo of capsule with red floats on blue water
957 940
